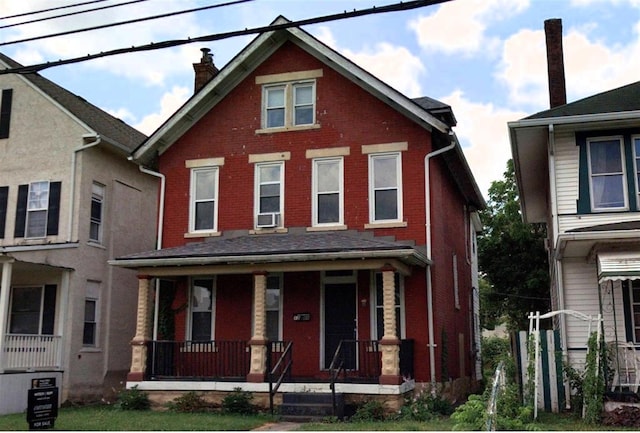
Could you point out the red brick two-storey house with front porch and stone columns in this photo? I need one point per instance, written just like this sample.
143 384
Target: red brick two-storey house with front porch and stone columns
293 235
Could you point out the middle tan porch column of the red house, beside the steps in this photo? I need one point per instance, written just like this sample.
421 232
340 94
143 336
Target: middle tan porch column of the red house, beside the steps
258 343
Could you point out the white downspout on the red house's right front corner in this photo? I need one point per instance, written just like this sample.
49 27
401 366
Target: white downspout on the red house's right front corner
427 210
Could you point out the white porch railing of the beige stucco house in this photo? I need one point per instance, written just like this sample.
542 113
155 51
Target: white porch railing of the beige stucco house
31 352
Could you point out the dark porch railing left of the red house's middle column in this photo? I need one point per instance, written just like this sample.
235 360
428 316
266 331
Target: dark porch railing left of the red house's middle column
222 360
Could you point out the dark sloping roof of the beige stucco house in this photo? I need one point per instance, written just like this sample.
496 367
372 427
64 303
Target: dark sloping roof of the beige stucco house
112 129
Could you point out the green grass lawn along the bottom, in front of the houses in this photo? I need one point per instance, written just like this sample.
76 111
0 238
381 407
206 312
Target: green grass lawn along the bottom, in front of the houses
106 418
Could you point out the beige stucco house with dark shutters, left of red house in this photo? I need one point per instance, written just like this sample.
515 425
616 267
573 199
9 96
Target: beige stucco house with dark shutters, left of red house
69 201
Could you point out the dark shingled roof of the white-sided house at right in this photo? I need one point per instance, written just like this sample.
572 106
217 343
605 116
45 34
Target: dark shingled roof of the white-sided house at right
625 98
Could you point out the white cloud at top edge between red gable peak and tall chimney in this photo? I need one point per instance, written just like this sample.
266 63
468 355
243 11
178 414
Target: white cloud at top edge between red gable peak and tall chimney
460 26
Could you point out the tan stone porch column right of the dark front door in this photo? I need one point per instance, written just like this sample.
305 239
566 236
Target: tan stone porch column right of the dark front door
389 344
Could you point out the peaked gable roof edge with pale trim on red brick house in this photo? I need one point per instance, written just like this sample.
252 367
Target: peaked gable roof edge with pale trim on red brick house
253 55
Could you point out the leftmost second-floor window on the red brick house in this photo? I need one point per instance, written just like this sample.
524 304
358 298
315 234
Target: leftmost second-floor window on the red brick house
204 203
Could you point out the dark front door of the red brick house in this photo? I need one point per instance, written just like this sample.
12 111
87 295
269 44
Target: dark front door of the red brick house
339 321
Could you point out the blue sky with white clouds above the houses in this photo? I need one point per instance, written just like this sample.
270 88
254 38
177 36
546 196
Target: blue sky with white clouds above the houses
485 58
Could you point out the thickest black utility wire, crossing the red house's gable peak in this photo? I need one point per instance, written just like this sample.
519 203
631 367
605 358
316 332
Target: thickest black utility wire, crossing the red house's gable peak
219 36
